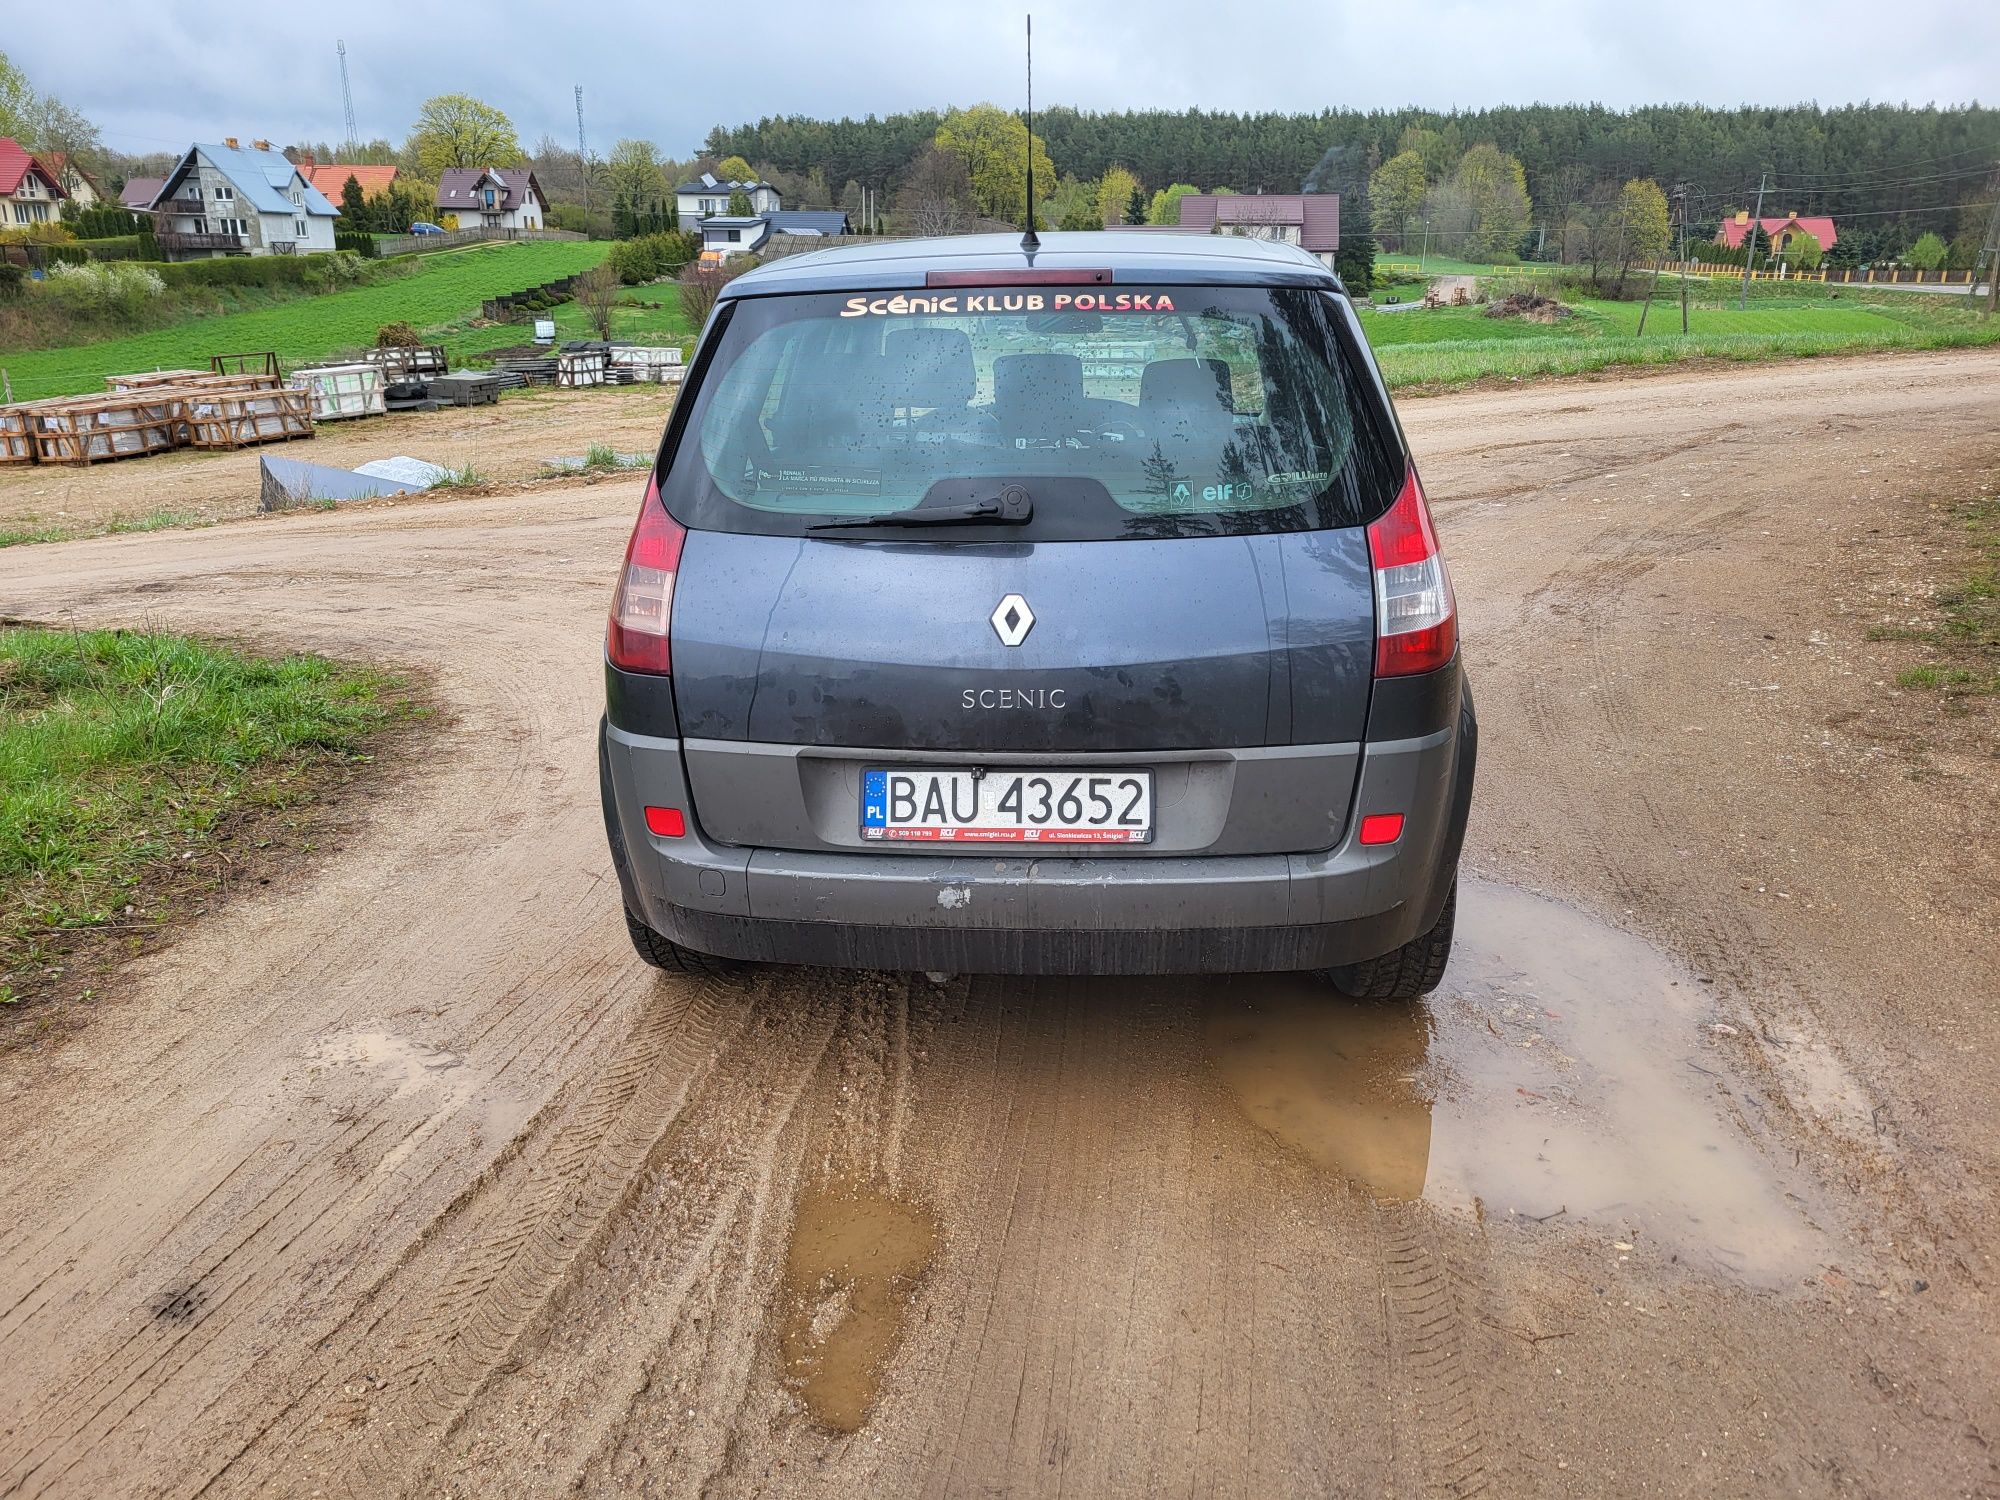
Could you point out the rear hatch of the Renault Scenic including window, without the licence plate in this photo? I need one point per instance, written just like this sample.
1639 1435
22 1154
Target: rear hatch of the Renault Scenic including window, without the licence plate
983 535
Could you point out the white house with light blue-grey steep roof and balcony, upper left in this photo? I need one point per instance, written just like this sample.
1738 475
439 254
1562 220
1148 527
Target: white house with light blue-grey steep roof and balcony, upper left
227 201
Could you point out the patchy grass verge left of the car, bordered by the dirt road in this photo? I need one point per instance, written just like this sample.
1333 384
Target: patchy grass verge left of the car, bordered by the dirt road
143 775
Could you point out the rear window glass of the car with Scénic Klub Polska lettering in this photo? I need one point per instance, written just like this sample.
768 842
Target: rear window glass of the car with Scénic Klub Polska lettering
1121 411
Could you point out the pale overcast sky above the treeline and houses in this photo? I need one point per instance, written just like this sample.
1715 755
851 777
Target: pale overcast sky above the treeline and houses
155 77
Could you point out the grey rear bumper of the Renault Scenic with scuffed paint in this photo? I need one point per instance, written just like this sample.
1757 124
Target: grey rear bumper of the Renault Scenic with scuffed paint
1173 915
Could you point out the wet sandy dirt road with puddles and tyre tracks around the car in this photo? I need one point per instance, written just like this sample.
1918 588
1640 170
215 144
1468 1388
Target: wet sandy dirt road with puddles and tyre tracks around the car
409 1179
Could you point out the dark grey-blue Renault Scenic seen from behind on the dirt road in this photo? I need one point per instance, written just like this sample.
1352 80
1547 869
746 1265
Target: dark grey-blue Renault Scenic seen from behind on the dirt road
1065 611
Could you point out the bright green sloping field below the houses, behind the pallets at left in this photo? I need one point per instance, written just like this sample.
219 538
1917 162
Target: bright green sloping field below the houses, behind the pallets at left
443 291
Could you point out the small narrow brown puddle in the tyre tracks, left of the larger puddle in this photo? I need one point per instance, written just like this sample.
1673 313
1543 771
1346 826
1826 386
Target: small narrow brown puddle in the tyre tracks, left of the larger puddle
851 1271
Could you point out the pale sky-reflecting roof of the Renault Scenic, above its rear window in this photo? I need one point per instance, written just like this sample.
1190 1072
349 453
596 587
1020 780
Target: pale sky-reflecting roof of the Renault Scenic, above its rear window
1131 257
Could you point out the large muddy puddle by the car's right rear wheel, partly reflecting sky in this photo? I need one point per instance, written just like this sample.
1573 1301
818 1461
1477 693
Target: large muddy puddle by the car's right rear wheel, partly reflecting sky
1563 1073
